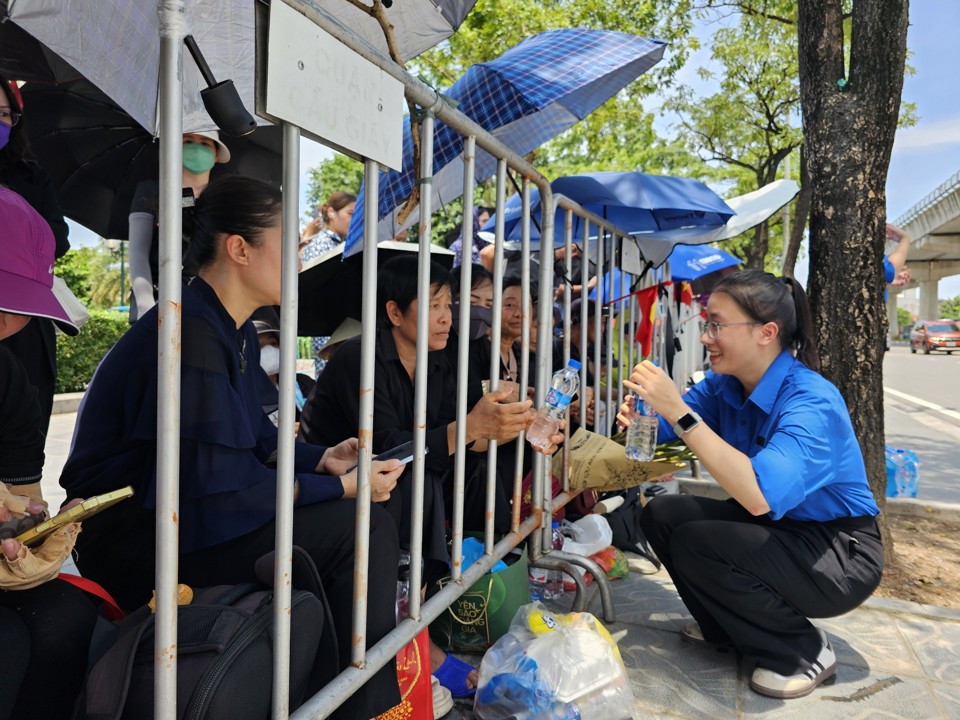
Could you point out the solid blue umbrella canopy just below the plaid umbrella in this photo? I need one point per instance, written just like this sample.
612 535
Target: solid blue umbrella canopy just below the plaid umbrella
635 202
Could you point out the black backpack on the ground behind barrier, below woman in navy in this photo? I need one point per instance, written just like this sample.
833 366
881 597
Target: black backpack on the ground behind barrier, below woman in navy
225 653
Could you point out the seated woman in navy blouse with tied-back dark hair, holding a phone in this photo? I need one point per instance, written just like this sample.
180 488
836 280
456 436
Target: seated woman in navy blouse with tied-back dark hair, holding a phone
227 477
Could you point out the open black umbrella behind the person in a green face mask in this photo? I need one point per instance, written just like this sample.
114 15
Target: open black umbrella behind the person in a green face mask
96 154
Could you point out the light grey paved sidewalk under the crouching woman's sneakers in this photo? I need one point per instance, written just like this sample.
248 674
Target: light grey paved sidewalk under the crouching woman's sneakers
896 659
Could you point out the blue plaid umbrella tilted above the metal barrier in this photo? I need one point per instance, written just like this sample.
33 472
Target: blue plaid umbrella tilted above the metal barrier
531 93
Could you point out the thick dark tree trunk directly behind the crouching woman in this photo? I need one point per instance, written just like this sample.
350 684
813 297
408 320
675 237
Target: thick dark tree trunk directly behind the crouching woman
849 124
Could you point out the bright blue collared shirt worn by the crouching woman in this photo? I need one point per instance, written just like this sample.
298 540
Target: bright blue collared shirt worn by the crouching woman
796 430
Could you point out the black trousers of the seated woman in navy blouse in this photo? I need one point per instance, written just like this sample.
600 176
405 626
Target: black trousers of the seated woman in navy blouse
117 551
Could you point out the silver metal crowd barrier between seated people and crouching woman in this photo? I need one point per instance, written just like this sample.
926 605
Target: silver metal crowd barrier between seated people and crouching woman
364 661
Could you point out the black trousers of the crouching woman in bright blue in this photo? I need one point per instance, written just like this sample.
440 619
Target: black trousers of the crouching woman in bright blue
753 581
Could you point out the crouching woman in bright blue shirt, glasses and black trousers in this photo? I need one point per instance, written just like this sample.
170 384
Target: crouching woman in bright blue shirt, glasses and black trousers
799 537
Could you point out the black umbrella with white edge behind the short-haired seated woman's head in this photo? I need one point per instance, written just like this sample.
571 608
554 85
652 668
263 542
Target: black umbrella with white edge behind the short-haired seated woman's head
331 287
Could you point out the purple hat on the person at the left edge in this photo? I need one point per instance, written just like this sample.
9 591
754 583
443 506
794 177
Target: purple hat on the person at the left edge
26 263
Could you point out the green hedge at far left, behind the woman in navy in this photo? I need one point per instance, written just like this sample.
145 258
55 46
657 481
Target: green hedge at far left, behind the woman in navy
78 357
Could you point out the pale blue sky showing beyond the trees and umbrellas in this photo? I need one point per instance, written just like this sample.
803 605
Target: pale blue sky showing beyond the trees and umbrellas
923 156
